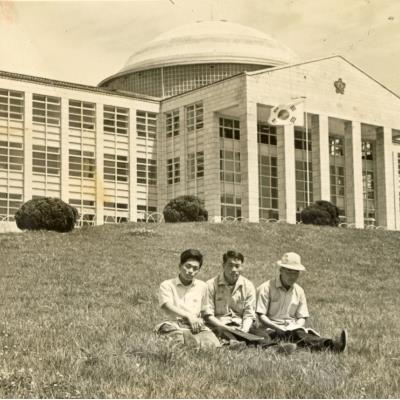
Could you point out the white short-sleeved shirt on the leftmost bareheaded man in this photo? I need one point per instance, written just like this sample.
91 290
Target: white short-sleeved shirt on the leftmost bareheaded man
191 298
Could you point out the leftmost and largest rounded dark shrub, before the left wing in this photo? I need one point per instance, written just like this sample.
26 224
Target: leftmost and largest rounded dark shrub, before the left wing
47 213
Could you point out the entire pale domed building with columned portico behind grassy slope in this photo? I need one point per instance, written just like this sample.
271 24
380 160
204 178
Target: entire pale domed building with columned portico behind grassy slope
214 109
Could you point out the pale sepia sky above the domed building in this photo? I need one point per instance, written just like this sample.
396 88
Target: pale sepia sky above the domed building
86 41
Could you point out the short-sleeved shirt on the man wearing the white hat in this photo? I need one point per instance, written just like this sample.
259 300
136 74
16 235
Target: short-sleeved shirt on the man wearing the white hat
280 305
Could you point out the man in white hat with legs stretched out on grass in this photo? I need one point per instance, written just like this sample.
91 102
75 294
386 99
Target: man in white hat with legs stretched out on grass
282 309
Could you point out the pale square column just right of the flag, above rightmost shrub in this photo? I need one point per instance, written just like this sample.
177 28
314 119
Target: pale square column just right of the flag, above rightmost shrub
320 157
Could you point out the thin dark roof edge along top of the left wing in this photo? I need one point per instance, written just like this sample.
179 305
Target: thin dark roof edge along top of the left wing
79 86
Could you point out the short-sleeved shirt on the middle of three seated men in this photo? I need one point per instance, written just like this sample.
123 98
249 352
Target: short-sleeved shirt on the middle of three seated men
231 304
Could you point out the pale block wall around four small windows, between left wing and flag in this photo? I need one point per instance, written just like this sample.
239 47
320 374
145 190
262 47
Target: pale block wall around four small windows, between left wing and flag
221 99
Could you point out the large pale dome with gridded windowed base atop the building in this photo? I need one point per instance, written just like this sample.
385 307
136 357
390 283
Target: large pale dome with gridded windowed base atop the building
196 55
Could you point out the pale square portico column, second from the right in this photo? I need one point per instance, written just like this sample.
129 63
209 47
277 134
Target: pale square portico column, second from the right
353 174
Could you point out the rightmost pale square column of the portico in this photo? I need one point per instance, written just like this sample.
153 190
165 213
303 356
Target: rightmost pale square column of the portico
384 178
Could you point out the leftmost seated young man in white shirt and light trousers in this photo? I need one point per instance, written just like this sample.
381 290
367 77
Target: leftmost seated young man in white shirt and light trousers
184 298
